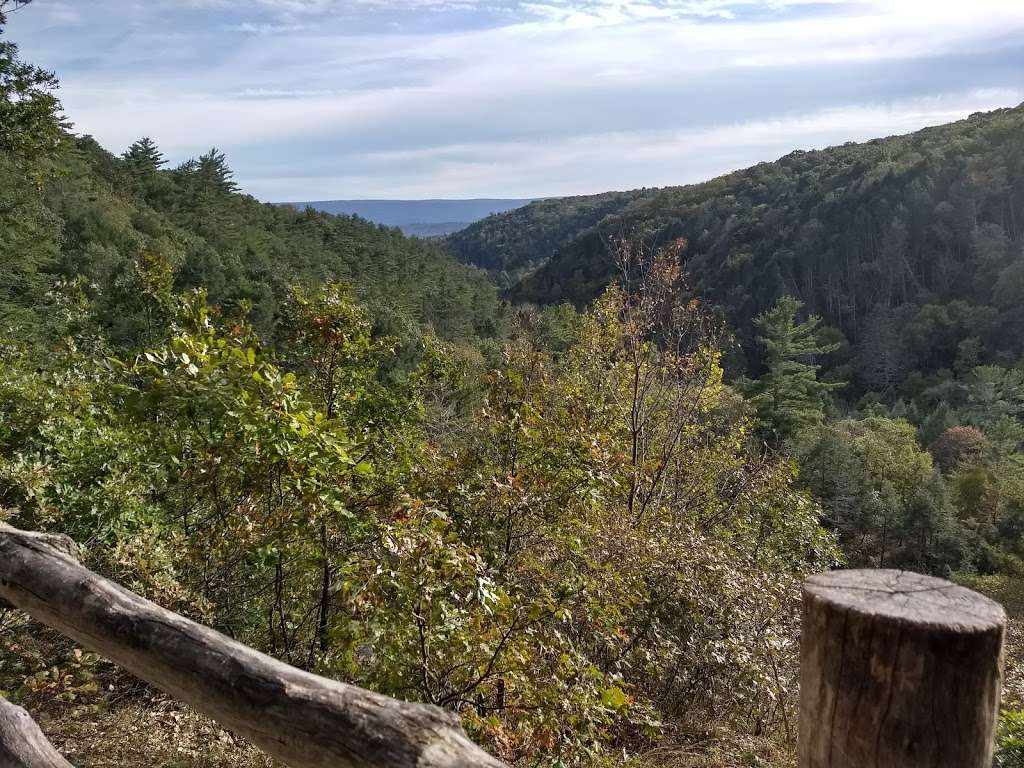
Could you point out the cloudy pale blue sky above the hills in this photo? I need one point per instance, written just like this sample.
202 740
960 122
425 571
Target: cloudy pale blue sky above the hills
321 100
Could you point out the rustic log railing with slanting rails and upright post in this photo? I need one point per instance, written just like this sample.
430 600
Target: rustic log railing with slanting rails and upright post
898 671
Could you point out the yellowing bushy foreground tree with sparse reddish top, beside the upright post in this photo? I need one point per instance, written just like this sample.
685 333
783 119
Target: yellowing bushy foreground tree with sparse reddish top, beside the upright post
600 484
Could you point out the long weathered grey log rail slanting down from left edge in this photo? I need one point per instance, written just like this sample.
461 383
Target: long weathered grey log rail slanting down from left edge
302 719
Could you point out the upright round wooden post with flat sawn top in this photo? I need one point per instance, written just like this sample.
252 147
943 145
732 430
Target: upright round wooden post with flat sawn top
899 671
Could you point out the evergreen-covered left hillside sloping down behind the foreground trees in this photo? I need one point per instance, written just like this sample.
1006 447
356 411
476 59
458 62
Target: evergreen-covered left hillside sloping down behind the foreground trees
124 226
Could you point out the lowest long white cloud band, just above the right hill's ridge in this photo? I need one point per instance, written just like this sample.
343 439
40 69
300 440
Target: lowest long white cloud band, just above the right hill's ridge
595 162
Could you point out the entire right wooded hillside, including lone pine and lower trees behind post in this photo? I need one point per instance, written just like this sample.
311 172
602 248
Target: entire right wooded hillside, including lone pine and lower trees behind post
875 292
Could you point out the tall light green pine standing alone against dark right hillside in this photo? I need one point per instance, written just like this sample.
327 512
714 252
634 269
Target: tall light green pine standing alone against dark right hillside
790 397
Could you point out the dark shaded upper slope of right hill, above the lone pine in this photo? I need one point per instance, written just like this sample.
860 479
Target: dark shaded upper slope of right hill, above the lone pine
910 245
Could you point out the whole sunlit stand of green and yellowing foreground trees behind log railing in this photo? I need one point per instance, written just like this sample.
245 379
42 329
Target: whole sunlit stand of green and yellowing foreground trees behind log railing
564 568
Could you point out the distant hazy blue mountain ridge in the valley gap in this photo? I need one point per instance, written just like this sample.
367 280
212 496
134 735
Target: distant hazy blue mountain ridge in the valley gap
424 219
